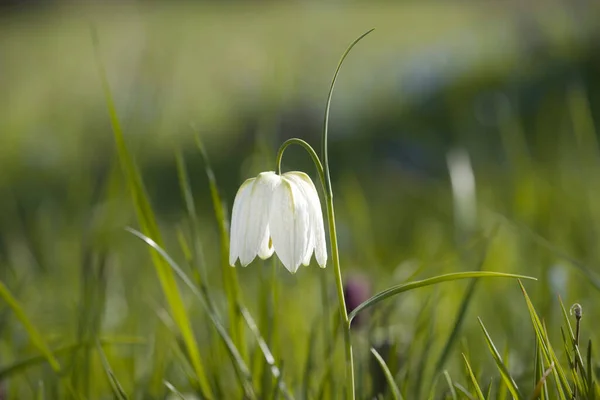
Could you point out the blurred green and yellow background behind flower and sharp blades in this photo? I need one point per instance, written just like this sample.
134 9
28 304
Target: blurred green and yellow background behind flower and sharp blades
515 85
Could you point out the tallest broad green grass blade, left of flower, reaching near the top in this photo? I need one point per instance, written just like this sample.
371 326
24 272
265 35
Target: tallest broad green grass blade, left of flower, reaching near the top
149 226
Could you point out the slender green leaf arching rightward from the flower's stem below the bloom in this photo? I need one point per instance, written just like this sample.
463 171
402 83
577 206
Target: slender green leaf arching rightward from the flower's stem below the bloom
430 281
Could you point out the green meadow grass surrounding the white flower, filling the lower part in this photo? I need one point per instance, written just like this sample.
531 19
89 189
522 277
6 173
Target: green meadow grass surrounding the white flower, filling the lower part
120 300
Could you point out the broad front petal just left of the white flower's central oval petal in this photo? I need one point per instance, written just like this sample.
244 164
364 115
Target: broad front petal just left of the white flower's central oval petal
256 217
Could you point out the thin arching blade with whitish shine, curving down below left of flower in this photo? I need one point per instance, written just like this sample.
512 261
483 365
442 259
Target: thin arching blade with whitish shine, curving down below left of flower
241 368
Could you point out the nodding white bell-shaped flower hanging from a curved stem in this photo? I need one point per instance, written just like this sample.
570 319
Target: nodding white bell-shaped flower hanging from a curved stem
281 214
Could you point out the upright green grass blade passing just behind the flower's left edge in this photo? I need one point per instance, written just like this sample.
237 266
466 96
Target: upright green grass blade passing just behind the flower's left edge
230 279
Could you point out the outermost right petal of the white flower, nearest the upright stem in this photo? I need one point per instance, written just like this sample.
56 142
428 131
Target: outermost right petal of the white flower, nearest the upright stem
317 228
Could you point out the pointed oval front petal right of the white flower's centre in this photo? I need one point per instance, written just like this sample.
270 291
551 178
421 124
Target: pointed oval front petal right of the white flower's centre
289 224
